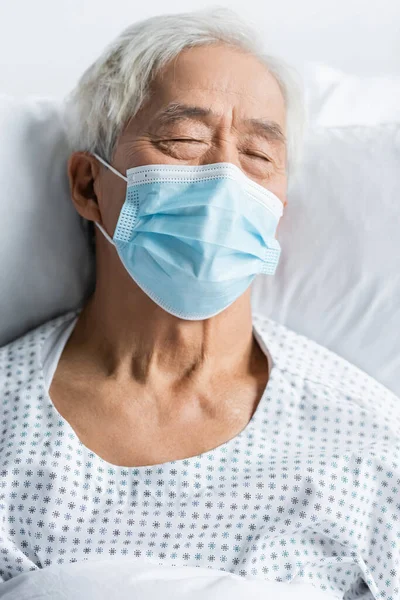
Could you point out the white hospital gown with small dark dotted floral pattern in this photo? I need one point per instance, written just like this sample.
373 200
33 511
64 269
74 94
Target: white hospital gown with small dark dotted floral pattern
309 490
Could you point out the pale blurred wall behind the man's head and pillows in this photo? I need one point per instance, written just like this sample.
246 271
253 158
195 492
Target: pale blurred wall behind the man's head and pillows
46 44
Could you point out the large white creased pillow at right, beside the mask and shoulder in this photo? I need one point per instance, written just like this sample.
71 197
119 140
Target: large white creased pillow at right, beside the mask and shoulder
338 281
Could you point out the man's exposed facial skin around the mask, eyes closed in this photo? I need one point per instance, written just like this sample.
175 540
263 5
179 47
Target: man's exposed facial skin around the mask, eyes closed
211 104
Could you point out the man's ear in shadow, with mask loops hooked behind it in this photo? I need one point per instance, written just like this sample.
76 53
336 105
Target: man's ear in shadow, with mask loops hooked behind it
83 172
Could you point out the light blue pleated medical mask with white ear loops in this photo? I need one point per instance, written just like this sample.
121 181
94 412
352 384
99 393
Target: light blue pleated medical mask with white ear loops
193 238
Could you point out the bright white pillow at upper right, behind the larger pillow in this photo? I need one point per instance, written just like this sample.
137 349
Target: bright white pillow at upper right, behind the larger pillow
338 99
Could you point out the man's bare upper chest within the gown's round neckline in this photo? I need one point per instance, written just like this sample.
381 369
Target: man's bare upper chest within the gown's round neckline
135 435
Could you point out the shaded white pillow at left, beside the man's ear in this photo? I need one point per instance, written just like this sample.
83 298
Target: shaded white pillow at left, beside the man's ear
45 263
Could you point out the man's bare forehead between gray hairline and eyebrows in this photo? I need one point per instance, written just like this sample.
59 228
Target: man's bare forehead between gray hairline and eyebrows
229 82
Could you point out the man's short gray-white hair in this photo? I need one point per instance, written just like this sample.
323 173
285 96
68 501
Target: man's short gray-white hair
116 85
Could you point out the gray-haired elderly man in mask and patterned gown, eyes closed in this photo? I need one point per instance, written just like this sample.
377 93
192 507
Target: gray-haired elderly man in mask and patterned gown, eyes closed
163 420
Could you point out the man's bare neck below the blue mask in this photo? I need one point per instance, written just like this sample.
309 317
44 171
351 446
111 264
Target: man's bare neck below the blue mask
127 336
